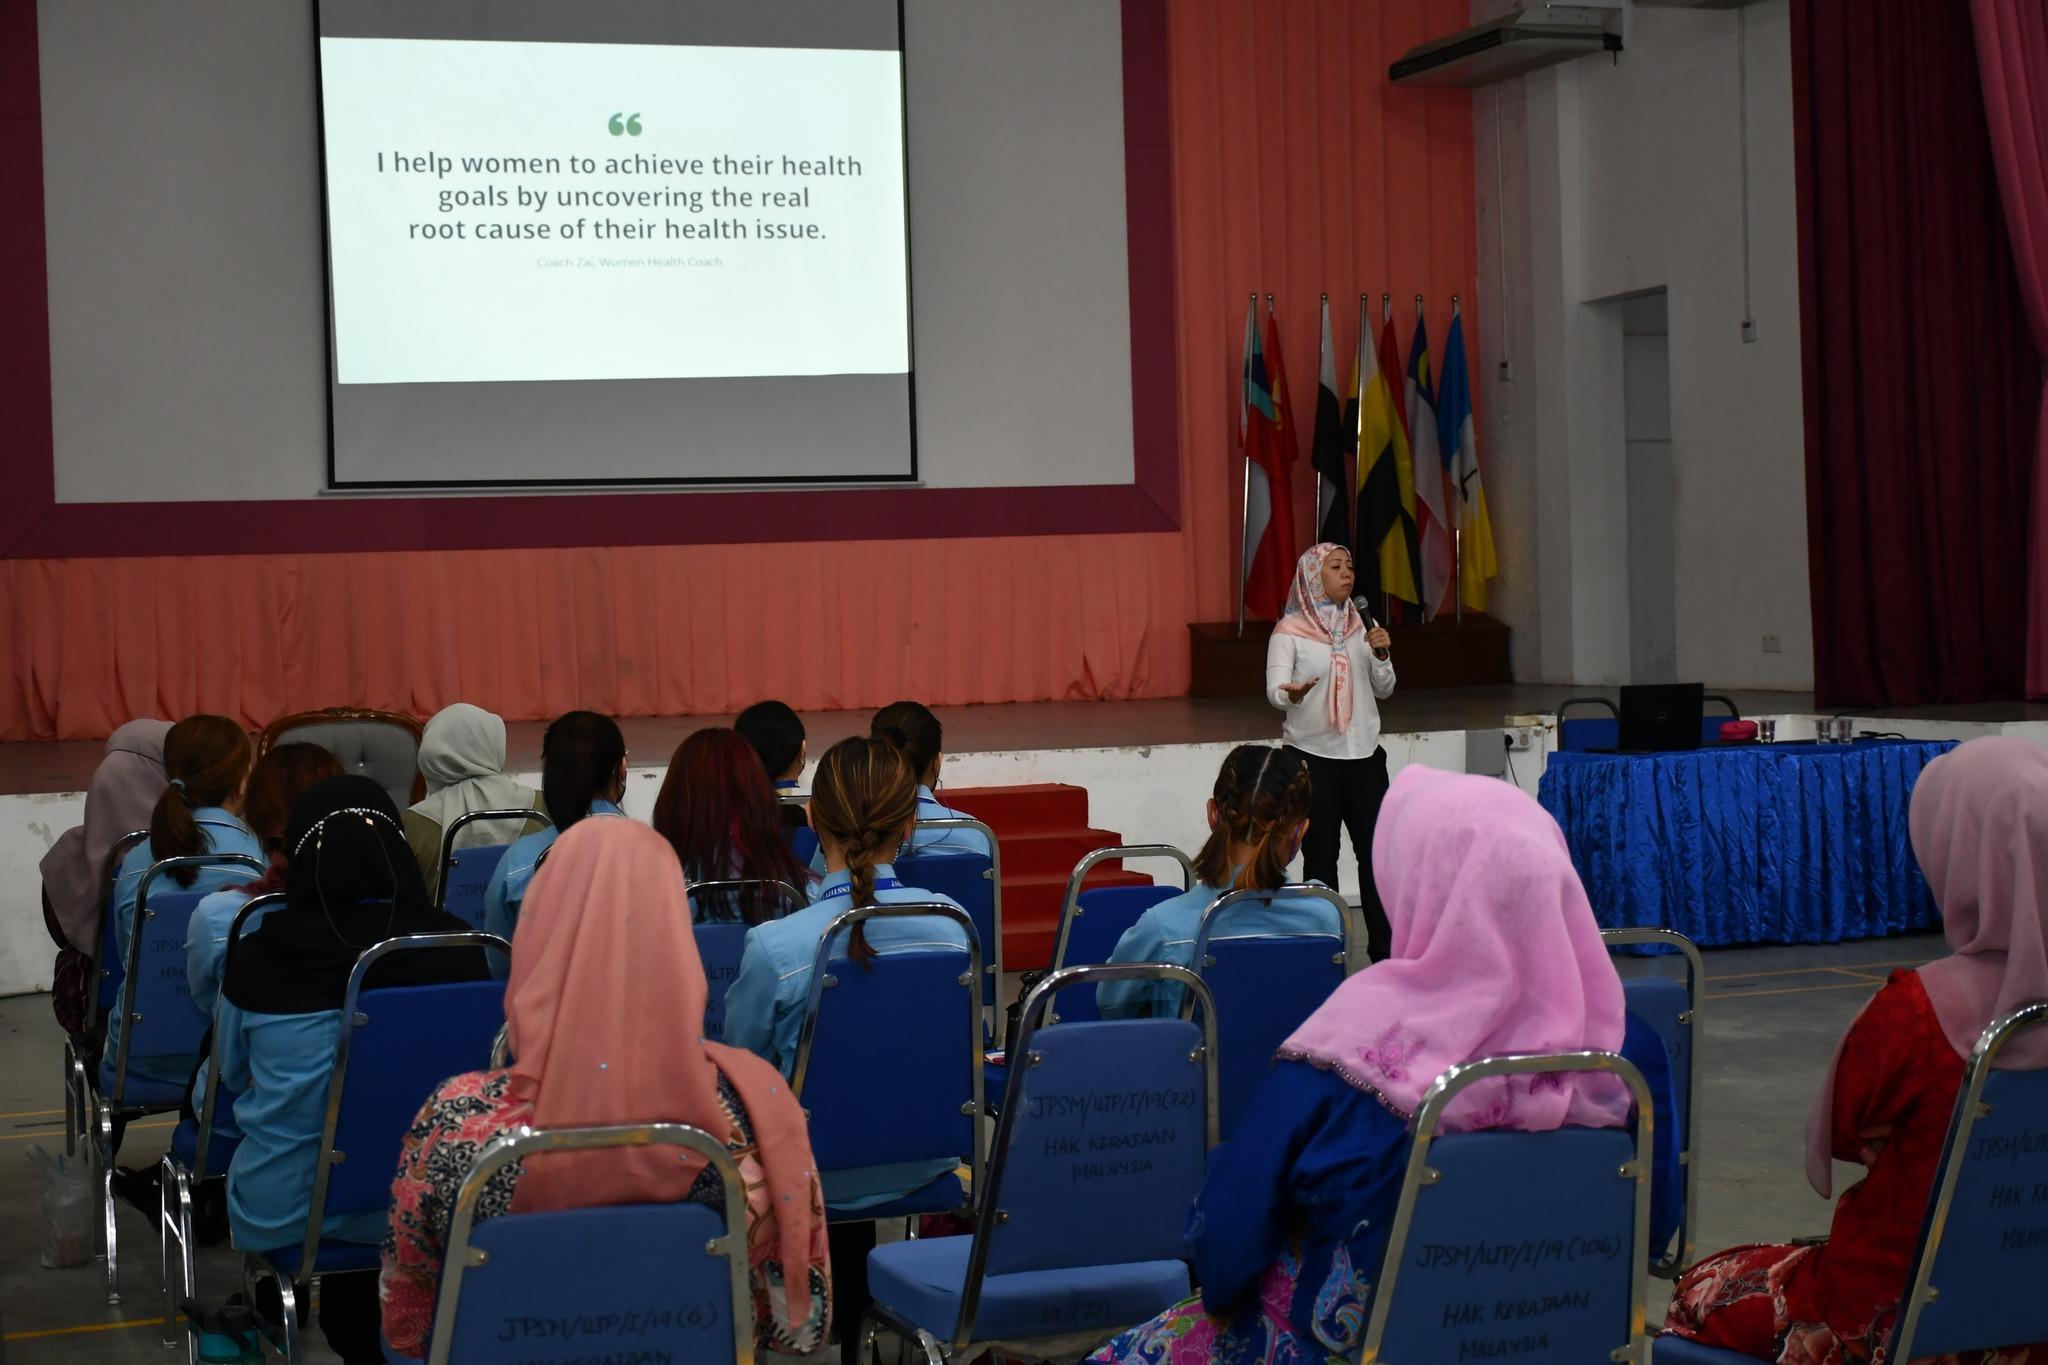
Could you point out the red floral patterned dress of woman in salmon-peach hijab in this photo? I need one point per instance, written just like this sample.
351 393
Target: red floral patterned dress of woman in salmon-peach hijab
454 1129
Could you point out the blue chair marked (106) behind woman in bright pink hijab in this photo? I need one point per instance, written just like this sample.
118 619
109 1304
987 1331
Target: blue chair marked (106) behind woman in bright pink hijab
1547 1225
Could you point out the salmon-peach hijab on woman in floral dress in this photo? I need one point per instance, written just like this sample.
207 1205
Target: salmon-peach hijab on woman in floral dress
607 1024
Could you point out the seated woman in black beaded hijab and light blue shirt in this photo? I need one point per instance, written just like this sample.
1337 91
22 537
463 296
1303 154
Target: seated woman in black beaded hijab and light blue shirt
349 885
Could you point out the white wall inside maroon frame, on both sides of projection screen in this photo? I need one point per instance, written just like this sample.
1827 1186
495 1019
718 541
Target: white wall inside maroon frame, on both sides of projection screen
181 202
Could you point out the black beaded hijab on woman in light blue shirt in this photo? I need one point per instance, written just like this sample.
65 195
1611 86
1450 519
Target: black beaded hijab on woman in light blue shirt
351 883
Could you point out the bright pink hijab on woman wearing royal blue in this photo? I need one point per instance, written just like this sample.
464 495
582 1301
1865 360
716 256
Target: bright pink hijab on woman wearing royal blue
1494 951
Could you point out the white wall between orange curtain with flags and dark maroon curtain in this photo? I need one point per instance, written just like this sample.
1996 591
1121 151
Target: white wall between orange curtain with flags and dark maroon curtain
1623 177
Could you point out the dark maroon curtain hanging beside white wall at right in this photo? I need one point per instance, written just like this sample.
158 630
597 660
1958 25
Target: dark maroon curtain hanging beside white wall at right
1920 369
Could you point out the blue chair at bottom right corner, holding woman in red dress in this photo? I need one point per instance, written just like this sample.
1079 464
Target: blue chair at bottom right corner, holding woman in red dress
1981 1247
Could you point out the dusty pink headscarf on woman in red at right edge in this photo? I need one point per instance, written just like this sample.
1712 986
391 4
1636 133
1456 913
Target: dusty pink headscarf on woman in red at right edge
1981 836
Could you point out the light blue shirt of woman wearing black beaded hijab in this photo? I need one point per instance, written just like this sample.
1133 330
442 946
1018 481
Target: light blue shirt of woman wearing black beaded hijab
282 1065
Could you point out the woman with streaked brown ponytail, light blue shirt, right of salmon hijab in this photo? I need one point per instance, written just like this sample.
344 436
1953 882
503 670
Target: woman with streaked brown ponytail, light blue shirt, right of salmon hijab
863 803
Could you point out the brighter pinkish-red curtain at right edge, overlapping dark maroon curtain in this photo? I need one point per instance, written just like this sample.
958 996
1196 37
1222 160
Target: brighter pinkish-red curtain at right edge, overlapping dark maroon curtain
2012 60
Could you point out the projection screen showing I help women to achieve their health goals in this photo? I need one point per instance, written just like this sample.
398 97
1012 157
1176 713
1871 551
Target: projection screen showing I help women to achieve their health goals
615 261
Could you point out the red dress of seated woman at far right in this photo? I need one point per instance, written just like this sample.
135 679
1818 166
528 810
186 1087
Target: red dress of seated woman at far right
1834 1305
